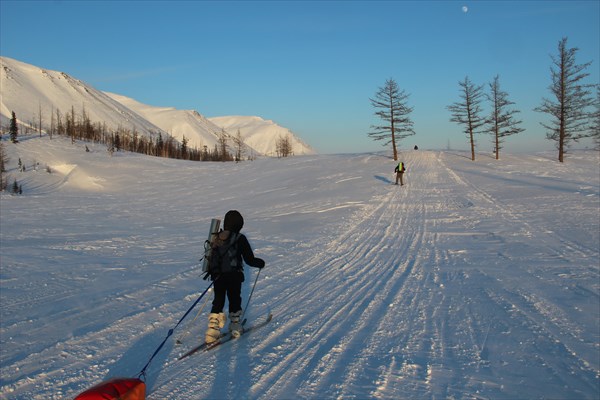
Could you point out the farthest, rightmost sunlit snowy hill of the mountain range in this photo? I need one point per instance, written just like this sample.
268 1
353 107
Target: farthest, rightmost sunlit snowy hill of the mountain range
261 134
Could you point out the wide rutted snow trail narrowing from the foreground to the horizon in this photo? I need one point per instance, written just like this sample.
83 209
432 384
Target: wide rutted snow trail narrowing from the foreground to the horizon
398 317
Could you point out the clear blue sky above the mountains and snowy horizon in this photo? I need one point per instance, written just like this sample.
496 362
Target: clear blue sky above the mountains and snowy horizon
310 66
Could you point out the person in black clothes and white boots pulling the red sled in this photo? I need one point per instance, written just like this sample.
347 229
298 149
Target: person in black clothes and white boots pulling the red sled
230 283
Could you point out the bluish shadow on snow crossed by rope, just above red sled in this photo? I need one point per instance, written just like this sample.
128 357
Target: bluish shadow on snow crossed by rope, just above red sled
135 358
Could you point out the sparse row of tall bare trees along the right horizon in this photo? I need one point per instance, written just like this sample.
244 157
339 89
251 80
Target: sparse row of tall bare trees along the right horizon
573 110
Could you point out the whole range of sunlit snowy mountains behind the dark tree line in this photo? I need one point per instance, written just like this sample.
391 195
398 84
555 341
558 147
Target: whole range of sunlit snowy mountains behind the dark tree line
29 90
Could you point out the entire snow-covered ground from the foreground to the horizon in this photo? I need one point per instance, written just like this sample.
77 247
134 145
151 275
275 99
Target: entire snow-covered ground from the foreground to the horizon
474 280
